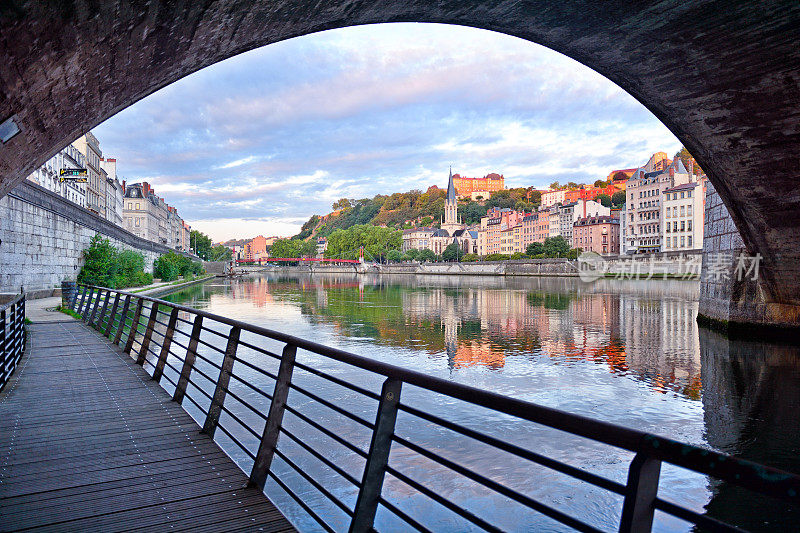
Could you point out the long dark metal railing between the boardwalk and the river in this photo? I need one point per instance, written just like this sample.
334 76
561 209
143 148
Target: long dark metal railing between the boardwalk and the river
640 492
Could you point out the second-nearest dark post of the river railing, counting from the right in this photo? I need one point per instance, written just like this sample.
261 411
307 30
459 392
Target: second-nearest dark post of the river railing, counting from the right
377 459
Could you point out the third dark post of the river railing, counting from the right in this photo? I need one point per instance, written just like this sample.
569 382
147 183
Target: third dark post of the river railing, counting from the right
269 440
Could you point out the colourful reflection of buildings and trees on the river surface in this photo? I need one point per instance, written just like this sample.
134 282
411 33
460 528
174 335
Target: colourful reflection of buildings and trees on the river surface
628 327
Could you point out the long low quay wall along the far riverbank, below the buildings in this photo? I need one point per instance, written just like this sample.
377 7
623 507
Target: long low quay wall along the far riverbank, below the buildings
671 265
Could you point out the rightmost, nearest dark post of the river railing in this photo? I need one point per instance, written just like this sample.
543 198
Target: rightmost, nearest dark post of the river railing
640 494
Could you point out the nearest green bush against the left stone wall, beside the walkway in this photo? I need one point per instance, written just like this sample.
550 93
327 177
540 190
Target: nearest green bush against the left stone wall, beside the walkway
105 266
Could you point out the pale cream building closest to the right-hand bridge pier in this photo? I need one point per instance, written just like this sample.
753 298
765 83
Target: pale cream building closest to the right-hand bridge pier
682 212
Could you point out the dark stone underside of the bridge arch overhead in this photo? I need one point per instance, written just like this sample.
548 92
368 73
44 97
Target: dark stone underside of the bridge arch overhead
724 76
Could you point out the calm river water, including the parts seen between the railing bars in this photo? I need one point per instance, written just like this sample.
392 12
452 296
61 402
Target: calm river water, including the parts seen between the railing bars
627 352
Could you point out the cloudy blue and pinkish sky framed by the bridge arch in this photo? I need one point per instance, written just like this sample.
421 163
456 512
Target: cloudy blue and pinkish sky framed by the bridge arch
258 143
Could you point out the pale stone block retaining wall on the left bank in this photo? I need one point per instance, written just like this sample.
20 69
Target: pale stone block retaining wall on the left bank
42 238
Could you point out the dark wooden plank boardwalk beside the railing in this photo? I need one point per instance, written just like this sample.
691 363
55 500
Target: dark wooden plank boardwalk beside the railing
89 443
